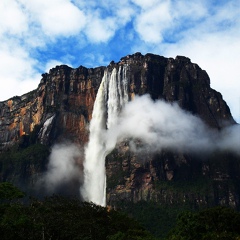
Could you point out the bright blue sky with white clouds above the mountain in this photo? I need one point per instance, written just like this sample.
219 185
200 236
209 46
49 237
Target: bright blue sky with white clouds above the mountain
37 35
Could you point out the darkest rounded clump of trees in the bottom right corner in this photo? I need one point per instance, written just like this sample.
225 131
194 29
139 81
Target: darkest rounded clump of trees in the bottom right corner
220 223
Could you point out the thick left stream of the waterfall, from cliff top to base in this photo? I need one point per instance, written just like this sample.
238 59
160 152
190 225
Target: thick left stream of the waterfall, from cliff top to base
94 167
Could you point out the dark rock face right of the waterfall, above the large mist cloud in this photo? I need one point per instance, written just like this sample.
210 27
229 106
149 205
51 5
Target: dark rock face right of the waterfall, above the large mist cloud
181 81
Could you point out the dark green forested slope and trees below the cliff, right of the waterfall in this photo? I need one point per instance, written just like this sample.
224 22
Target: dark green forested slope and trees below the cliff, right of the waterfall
184 223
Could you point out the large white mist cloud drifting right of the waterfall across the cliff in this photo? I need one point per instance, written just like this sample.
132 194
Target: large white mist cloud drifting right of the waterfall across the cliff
160 125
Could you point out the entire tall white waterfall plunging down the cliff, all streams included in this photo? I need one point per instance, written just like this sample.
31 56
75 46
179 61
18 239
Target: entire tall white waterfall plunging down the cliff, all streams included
111 97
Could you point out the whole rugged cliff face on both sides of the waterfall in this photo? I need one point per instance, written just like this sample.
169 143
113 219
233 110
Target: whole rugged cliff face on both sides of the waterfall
61 107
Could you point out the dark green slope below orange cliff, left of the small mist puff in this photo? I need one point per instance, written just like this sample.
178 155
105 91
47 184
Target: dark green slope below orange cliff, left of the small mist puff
24 158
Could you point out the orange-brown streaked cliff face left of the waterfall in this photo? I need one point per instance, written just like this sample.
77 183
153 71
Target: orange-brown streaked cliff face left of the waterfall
61 105
